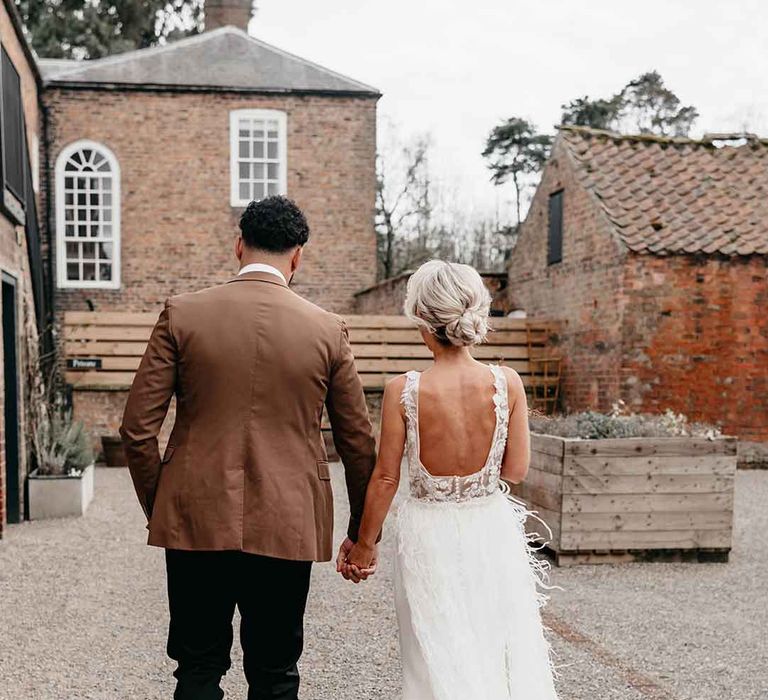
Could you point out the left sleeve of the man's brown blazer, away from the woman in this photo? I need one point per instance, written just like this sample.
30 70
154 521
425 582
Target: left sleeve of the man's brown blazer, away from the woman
146 408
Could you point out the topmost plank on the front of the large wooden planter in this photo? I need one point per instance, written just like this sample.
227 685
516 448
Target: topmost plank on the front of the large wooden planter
623 447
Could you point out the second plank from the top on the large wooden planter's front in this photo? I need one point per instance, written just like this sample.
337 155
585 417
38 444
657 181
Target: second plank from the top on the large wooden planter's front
719 465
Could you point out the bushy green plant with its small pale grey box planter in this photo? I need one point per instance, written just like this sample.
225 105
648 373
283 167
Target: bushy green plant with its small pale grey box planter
62 483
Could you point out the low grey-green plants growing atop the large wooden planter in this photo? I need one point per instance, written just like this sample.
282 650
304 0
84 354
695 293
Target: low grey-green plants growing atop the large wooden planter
591 425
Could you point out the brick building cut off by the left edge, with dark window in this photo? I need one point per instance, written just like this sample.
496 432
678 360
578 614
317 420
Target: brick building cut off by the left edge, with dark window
21 273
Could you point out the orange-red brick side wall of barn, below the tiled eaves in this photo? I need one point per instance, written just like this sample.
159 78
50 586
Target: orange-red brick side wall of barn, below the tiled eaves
695 338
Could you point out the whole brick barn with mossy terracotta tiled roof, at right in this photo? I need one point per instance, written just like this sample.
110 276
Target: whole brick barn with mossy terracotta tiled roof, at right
654 252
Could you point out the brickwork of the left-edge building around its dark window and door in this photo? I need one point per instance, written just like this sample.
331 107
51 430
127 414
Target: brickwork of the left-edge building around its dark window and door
13 252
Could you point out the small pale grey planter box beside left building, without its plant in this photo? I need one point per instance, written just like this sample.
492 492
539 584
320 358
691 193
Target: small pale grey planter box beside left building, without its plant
59 496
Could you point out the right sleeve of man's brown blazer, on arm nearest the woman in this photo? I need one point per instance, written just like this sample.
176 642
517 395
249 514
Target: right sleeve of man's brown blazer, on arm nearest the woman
352 429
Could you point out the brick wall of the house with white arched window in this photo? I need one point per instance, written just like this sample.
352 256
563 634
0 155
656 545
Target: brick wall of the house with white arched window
178 227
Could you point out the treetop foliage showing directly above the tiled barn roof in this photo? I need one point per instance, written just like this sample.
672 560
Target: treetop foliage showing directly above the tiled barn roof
644 105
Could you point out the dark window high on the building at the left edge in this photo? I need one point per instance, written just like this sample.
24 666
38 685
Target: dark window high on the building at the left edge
13 129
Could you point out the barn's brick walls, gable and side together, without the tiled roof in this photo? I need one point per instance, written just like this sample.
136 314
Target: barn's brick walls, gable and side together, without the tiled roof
688 333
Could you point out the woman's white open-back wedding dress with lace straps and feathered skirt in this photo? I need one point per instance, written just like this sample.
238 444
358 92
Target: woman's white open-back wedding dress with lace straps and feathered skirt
467 586
